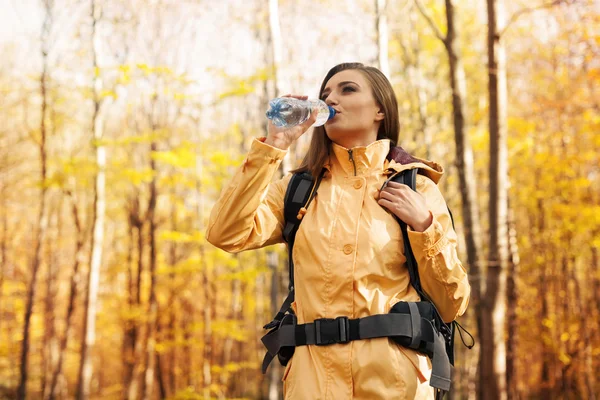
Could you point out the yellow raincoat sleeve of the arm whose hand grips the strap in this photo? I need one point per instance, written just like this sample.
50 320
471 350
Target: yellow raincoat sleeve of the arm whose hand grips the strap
443 276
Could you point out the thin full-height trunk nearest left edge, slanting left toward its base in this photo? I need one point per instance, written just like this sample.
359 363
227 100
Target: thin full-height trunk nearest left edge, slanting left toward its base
42 219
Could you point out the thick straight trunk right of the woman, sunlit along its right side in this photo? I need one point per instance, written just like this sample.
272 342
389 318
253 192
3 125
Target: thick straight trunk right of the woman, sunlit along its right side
493 347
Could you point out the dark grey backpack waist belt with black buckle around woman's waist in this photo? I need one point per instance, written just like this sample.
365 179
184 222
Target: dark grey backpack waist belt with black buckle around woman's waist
409 329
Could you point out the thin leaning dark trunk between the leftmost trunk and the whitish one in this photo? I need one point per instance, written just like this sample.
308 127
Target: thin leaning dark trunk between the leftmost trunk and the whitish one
75 278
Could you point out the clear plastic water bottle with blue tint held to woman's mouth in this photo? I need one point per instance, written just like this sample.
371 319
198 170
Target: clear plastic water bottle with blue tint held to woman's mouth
288 111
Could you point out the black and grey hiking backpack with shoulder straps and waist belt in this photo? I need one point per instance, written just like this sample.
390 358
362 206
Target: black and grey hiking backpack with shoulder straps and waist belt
417 325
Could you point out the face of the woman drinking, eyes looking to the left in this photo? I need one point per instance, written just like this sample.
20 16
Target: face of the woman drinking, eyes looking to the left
358 115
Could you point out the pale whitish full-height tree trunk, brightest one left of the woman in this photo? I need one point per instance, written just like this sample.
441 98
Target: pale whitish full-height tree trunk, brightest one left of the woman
97 242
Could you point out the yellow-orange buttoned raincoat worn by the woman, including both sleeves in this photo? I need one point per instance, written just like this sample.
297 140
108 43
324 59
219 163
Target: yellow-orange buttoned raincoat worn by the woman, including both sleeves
348 261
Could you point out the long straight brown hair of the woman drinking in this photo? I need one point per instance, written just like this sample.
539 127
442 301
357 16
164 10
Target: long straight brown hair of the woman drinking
384 95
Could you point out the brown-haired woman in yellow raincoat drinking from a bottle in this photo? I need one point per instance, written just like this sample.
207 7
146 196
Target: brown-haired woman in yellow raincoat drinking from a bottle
348 252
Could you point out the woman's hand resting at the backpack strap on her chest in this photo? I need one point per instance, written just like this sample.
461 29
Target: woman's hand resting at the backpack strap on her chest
407 205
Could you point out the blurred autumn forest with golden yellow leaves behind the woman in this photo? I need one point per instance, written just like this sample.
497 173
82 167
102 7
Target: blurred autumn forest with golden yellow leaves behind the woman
122 120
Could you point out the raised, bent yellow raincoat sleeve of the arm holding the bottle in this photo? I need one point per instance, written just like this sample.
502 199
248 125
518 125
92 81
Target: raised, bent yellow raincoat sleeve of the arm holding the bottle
249 211
